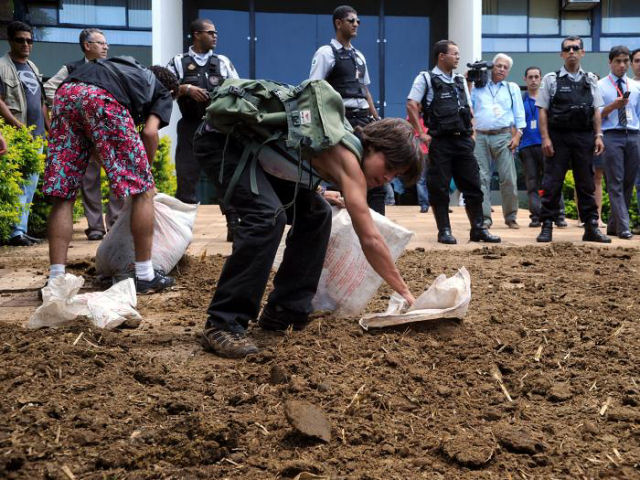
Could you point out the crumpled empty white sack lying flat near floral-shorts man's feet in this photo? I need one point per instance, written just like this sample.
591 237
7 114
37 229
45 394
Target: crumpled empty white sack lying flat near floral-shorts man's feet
61 304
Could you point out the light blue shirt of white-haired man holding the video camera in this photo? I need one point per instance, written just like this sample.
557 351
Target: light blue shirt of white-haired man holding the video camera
498 105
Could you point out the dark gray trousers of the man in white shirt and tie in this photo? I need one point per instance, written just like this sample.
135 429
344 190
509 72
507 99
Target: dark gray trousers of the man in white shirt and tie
622 157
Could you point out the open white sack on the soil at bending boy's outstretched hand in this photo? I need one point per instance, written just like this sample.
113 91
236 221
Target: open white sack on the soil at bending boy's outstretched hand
445 298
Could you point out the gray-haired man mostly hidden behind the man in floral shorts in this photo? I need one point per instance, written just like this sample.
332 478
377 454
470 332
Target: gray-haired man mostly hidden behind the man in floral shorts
94 45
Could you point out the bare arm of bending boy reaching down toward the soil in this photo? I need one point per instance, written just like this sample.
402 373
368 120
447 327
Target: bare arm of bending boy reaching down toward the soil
352 183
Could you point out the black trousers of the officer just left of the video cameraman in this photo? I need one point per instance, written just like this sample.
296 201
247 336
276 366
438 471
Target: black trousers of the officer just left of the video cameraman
452 156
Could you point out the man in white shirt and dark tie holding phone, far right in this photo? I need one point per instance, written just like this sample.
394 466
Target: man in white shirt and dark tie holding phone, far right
620 125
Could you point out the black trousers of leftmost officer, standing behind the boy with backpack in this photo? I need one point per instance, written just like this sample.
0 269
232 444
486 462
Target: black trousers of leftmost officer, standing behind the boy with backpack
187 167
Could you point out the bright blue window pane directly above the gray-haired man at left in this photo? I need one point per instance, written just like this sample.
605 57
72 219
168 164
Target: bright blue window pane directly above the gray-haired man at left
94 12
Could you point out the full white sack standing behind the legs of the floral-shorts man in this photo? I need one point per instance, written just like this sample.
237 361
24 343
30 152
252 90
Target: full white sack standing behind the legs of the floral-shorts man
172 234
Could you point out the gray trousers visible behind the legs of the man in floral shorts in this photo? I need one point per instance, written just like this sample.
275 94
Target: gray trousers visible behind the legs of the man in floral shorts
92 200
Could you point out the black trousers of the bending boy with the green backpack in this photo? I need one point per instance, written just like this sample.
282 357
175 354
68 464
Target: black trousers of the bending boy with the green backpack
262 218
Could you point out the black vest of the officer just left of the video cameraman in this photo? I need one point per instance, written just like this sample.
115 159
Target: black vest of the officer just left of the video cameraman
449 112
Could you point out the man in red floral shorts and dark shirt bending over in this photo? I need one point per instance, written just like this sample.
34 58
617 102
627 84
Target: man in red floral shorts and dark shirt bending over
98 107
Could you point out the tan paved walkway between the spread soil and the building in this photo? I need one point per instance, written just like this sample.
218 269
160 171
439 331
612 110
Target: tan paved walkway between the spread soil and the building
210 236
